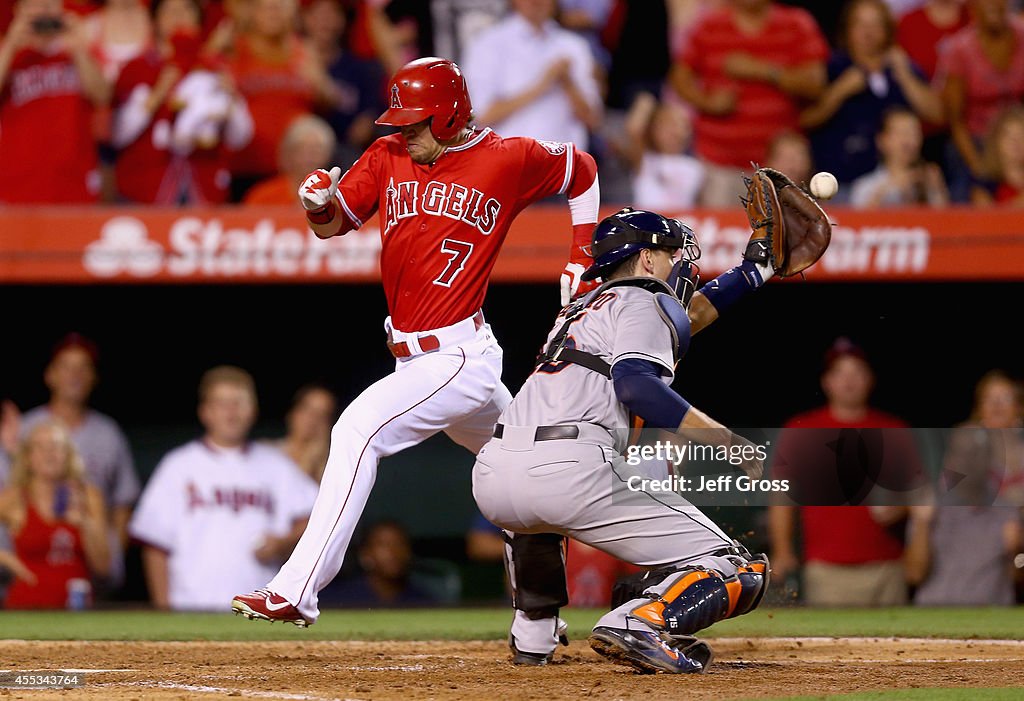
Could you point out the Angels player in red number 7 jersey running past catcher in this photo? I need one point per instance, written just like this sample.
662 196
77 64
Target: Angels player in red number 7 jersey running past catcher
447 195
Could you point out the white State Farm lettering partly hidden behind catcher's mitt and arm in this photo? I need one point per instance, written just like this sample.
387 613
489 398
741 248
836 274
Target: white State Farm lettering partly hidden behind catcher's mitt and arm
854 249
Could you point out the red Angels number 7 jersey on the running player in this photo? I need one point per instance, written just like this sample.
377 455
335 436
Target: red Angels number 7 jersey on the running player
443 225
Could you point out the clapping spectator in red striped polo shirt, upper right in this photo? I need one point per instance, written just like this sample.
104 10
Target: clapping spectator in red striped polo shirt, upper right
747 69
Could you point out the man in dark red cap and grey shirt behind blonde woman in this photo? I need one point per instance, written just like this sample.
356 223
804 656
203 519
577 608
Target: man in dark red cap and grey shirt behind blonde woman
71 378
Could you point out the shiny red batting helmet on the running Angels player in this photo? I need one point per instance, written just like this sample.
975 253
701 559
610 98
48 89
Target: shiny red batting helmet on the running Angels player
430 89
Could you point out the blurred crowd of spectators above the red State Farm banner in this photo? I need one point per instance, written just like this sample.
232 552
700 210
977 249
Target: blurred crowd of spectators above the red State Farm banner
211 102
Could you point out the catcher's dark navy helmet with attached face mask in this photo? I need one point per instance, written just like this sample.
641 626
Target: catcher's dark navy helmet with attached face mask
629 231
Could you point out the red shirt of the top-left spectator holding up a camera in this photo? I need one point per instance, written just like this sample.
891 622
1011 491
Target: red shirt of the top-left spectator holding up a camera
48 149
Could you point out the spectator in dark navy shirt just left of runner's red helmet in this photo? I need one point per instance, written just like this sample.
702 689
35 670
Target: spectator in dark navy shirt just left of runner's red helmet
361 82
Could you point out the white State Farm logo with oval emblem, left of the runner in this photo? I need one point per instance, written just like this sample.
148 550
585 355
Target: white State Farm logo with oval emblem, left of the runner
205 248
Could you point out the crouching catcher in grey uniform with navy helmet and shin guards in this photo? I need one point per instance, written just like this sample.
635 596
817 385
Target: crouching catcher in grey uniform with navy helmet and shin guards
556 465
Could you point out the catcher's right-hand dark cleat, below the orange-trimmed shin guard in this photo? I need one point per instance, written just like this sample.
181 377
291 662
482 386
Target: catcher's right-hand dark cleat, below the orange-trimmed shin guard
650 653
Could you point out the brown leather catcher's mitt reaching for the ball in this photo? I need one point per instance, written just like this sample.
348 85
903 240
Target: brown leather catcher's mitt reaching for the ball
790 230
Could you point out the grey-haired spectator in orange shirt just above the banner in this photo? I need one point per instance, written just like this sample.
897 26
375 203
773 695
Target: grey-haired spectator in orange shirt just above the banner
308 145
